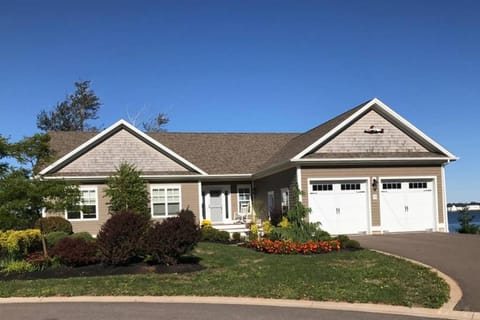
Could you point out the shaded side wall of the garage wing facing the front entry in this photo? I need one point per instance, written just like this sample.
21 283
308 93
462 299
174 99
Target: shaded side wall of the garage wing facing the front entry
275 182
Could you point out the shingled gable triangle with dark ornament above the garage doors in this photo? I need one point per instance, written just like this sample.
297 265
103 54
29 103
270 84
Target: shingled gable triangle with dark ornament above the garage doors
354 140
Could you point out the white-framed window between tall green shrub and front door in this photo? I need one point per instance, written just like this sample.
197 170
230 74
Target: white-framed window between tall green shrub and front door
165 201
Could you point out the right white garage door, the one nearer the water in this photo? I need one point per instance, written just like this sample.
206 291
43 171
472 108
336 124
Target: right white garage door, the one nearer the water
407 205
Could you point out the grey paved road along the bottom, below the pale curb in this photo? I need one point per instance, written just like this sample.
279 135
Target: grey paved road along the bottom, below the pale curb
172 311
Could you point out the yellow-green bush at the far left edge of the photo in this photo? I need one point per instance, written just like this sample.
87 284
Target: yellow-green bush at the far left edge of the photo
17 244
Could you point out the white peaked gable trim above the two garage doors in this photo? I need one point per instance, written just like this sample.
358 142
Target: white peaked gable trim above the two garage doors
358 113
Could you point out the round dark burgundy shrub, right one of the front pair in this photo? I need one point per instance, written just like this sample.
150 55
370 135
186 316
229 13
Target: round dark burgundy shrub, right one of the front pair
167 241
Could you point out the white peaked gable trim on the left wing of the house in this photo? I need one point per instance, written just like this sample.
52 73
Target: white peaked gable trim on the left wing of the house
110 129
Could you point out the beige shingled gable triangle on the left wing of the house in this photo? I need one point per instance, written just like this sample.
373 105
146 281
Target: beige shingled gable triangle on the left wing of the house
122 147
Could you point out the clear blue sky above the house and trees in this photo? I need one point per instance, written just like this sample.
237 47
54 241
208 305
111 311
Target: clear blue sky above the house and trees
242 66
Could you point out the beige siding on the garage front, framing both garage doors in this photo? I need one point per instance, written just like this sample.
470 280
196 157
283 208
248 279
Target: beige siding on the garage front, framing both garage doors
377 173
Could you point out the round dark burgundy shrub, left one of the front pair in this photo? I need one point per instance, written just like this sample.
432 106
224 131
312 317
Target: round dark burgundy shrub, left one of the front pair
120 237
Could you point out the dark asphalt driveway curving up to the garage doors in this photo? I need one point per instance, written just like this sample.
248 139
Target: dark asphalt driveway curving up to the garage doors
456 255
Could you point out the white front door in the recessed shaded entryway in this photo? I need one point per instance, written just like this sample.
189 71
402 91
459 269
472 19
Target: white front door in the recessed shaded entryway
217 203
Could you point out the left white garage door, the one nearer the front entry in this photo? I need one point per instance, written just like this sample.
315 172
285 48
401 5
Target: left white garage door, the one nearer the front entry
340 206
